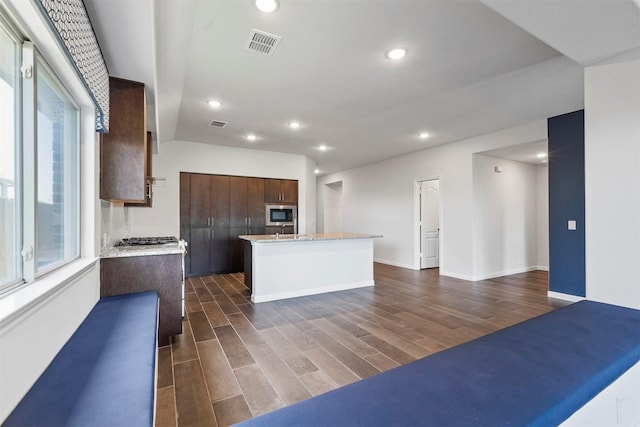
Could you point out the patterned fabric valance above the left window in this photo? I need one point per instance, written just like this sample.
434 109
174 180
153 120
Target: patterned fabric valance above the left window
71 23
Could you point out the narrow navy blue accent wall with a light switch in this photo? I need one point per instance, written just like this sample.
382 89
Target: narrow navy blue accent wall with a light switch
566 202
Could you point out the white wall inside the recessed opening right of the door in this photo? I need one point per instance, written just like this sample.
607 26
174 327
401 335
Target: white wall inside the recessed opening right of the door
504 217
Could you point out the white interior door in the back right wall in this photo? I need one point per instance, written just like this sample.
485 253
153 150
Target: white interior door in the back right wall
429 223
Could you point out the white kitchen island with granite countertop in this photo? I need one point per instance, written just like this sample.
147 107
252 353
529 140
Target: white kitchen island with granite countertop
290 265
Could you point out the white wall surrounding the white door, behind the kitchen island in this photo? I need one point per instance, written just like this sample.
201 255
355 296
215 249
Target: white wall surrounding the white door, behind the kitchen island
379 198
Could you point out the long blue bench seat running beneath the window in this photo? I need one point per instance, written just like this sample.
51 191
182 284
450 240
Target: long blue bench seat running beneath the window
104 375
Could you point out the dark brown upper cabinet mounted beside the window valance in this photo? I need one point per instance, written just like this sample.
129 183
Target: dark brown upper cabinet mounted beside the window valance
125 152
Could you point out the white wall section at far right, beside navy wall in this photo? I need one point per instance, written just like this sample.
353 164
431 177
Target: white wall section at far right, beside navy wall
612 180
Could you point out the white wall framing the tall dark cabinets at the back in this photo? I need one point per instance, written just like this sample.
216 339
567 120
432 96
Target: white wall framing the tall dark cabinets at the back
181 156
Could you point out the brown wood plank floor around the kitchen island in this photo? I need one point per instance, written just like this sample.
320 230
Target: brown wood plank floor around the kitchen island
237 360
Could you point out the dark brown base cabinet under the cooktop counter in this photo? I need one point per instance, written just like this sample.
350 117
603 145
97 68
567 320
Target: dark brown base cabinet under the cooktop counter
161 273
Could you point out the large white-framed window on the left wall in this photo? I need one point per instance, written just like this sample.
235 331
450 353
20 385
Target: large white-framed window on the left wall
39 165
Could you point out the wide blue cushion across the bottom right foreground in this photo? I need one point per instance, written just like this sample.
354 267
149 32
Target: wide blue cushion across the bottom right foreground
534 373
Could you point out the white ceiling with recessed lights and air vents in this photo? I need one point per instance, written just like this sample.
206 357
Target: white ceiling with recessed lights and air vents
472 68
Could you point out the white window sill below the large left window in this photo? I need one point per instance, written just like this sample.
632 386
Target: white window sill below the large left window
22 299
